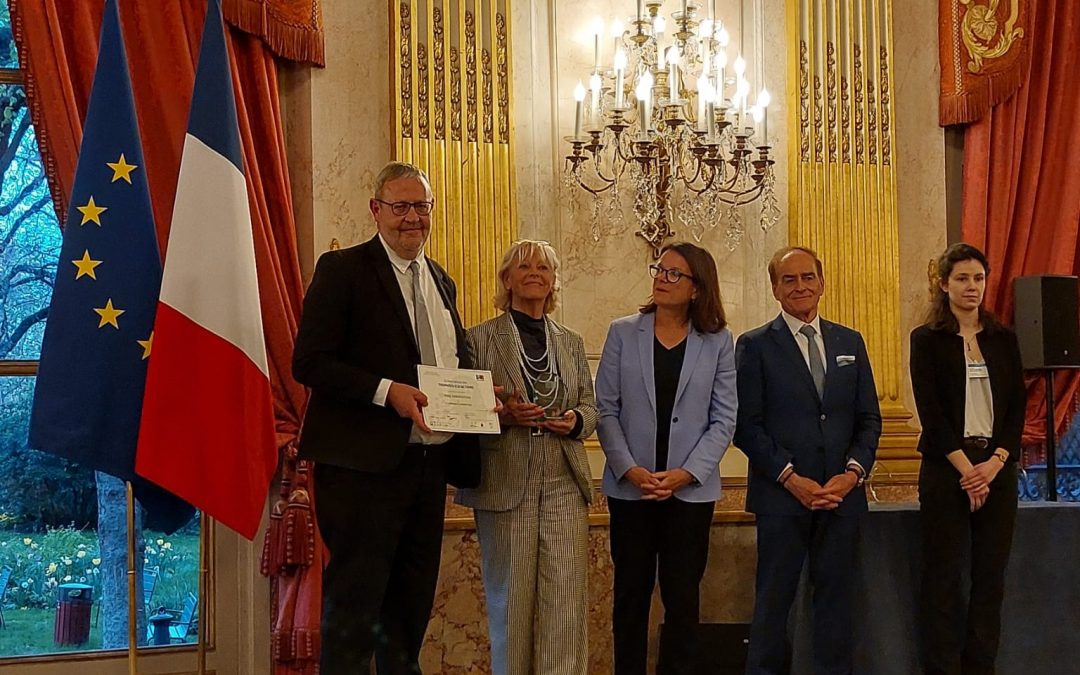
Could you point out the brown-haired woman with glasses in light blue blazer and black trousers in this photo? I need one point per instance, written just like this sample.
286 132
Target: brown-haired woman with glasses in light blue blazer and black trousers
666 393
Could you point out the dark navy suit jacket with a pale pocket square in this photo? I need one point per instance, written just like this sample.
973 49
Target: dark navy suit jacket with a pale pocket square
782 420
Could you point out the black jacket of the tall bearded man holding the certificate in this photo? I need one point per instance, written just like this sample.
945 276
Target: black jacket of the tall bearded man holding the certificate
356 332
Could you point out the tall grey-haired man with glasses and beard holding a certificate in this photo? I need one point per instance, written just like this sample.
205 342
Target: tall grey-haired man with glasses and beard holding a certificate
372 315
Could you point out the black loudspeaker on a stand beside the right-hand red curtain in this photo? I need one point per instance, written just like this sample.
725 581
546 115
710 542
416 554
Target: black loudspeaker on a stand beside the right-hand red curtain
1046 321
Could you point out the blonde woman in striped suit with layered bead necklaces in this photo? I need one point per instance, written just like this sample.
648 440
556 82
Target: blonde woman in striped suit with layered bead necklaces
532 504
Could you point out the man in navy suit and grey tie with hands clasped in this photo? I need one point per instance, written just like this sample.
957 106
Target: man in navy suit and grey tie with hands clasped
809 423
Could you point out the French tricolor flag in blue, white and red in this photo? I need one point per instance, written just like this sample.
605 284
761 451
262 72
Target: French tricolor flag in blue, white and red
208 433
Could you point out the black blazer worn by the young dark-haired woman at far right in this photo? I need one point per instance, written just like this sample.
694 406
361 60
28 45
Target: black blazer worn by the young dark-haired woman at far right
939 381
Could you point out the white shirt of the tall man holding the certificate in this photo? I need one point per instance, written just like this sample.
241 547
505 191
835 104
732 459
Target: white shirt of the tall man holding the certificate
442 330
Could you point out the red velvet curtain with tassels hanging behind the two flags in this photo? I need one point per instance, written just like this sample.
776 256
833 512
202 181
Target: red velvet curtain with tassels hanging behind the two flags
58 42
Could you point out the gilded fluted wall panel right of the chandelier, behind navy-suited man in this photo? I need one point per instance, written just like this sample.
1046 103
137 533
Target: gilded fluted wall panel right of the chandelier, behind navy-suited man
844 190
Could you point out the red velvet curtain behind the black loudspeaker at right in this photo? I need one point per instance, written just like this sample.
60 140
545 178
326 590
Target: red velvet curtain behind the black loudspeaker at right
1022 183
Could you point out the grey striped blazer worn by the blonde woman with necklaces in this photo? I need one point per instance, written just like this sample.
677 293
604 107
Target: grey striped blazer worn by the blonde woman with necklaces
505 460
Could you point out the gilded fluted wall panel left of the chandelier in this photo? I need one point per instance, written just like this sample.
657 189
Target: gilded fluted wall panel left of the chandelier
453 88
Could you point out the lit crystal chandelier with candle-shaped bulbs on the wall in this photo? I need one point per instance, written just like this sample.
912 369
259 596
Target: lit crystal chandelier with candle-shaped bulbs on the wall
692 157
